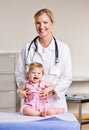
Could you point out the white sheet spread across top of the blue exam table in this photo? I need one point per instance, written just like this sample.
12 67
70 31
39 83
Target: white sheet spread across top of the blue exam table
16 117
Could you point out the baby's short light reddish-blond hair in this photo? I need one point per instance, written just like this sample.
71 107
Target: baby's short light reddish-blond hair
33 66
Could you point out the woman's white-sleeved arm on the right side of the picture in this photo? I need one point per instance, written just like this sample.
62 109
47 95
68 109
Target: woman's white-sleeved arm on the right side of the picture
65 79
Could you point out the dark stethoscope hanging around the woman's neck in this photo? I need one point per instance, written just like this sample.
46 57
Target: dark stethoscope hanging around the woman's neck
56 48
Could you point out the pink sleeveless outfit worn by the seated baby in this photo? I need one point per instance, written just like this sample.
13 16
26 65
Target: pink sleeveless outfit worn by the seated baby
35 100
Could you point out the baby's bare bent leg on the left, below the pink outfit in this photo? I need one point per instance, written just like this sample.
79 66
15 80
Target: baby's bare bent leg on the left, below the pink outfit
30 112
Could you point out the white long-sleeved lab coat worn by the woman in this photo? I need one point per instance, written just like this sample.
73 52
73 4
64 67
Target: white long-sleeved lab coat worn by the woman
60 73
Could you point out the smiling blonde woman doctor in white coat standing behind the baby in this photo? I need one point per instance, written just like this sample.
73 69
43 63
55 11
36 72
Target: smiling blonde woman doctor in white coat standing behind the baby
52 53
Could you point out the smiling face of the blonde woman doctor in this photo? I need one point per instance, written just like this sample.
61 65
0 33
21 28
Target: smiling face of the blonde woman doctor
44 25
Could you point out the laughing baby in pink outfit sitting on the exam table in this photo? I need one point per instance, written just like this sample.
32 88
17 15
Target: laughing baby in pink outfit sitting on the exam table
36 93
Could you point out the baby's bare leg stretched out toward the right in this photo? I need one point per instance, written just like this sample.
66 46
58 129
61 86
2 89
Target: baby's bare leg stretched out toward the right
53 111
